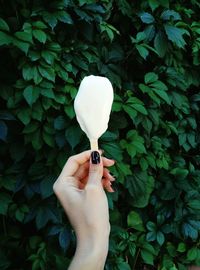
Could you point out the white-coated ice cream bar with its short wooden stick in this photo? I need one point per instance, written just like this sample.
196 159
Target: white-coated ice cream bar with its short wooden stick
92 106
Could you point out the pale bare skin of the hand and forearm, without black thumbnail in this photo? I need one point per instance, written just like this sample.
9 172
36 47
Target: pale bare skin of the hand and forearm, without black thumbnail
80 190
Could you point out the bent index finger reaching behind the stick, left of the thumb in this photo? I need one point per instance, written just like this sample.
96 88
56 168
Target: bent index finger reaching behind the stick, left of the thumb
74 162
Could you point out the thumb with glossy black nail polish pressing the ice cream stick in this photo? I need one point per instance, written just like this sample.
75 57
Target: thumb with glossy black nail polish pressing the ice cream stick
96 169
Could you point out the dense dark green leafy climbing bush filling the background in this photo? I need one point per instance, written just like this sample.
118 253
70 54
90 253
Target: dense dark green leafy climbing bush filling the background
150 52
